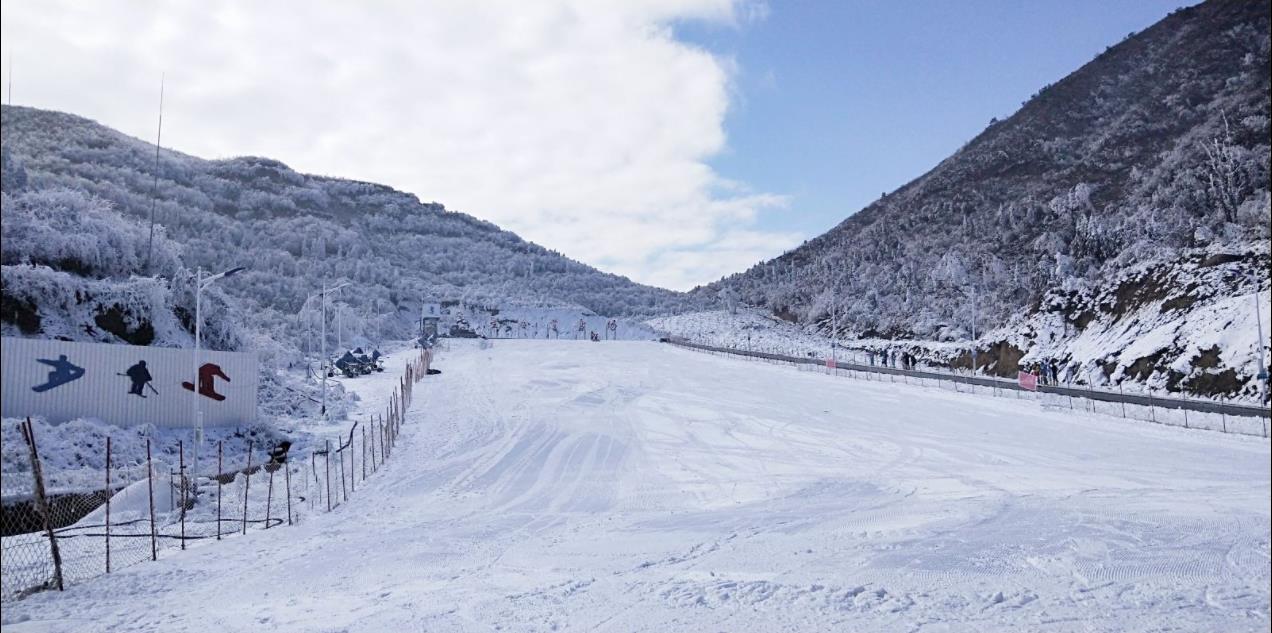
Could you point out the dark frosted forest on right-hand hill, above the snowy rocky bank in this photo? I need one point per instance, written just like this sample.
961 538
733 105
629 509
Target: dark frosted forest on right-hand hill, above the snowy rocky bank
1156 148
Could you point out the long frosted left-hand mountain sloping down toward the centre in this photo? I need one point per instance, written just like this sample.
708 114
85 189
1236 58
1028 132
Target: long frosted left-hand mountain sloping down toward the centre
292 231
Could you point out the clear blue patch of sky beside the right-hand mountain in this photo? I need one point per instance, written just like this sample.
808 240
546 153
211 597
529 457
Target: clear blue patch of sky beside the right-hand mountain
838 102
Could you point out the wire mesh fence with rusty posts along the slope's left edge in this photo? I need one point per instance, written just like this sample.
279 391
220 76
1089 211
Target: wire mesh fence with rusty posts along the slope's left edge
142 507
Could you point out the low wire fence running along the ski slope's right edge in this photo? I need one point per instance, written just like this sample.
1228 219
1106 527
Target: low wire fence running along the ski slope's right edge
1184 412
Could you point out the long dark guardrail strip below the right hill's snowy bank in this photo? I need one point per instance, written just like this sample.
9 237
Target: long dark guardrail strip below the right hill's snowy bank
1093 395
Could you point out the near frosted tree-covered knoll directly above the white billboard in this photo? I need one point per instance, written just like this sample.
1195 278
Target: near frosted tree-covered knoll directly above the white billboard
76 269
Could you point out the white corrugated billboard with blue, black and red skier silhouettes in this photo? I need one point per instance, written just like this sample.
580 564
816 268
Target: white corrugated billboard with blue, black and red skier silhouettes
125 385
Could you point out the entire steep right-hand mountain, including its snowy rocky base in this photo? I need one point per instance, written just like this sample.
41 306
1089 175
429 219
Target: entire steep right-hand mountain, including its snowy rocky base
1129 198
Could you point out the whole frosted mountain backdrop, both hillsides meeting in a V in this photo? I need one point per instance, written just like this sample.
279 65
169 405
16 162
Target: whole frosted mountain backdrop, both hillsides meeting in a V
1116 224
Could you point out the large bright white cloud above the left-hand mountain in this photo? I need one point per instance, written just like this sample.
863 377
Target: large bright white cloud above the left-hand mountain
581 125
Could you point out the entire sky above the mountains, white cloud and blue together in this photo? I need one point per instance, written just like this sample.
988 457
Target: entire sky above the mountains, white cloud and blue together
675 156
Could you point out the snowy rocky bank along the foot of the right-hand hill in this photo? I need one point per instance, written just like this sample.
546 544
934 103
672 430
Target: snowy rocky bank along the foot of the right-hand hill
1227 329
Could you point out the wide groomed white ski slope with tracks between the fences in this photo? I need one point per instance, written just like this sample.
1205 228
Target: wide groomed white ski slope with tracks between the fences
637 487
